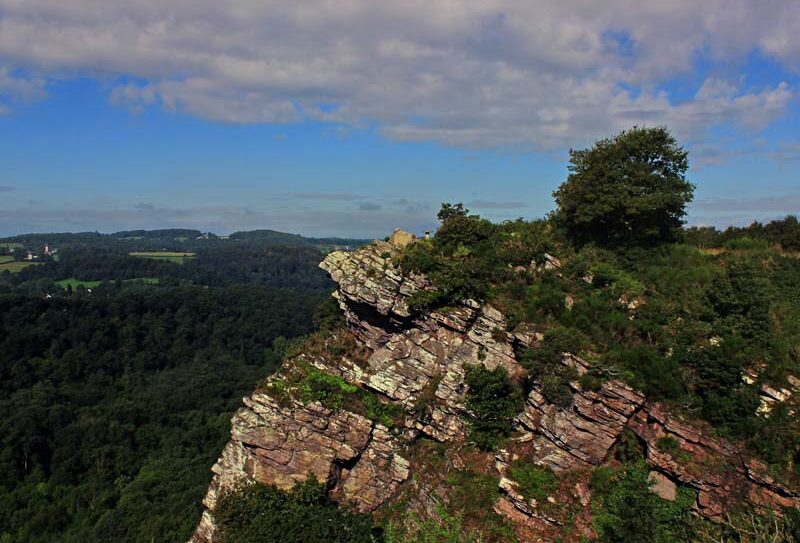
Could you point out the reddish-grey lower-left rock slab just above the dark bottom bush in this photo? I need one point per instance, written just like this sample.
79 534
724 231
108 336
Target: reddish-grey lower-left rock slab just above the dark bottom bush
282 445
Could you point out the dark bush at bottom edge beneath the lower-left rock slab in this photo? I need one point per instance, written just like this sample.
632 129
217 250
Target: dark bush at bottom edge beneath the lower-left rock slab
263 514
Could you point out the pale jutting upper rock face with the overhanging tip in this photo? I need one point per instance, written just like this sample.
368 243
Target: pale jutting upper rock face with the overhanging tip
417 360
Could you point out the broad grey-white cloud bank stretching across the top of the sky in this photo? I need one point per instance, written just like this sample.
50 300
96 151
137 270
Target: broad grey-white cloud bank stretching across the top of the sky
516 73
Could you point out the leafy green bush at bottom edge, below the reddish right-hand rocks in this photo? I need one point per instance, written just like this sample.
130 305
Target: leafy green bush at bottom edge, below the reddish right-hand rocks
627 511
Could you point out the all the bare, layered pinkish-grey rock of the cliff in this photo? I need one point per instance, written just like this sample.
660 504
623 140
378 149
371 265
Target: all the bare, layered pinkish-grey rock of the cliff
418 362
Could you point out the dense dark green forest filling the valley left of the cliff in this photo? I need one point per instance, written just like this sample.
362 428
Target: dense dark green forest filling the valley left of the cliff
115 399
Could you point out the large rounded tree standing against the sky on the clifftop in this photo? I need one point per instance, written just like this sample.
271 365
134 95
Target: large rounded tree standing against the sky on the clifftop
627 190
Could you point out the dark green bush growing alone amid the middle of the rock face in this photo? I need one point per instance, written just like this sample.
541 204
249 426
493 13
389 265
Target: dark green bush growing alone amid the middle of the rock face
493 401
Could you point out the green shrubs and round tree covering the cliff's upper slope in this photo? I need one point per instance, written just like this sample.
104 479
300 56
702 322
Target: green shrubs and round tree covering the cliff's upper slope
681 323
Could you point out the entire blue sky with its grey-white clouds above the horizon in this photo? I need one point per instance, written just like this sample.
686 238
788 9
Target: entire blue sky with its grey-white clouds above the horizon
350 121
